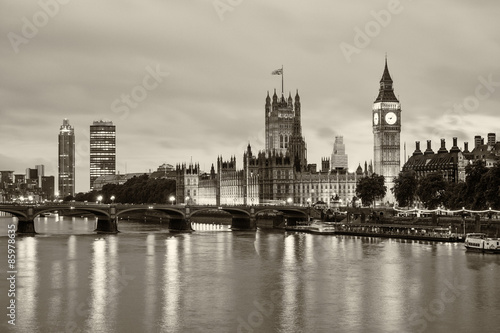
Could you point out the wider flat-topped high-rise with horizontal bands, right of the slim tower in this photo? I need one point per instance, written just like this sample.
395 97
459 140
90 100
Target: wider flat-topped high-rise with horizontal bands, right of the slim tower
102 150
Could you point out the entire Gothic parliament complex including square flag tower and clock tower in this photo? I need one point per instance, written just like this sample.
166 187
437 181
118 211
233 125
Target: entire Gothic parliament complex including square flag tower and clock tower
280 174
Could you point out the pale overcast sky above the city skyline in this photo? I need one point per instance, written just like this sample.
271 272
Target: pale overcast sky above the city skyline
197 73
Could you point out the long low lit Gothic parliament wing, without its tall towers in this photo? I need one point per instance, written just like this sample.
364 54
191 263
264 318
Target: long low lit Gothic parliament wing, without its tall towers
266 178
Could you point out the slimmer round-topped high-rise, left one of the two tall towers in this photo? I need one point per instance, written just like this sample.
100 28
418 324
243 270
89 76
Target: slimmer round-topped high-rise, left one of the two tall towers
66 179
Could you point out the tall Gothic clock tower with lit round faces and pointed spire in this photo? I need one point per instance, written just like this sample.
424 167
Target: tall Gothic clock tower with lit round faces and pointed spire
386 122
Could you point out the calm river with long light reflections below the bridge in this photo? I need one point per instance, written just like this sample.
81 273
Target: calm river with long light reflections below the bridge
145 279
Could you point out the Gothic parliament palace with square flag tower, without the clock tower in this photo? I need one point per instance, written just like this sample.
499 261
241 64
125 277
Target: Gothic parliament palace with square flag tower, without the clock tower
278 175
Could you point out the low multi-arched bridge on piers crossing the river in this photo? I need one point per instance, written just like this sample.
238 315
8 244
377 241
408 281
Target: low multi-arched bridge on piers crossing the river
108 215
